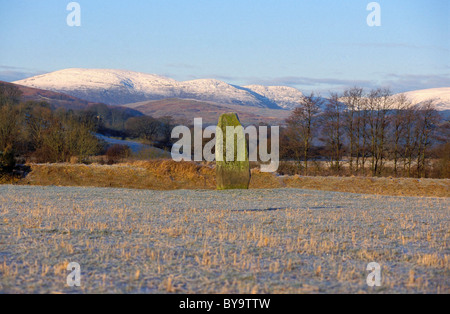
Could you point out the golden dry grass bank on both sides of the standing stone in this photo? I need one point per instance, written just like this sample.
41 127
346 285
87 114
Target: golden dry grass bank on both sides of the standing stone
170 175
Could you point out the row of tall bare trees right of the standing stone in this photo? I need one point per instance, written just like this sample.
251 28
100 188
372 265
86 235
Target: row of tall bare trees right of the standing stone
365 132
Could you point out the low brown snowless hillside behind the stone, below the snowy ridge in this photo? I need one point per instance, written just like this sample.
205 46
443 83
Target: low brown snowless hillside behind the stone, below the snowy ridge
185 109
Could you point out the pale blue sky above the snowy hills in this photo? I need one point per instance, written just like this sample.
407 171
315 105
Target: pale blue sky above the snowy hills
312 45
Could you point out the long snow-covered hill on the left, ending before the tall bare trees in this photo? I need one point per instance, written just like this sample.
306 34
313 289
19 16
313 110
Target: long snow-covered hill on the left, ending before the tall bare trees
117 87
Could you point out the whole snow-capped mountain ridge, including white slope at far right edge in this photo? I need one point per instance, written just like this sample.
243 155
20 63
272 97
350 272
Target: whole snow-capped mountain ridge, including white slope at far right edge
122 87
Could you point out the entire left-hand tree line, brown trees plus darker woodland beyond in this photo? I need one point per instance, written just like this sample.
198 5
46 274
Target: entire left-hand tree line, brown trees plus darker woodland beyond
38 132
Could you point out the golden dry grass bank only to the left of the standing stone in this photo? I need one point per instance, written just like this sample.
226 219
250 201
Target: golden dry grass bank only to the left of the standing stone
156 175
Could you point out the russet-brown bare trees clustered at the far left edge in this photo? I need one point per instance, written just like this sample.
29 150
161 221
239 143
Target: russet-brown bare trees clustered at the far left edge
35 130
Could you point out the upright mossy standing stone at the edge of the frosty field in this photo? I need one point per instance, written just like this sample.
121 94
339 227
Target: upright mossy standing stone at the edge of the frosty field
234 173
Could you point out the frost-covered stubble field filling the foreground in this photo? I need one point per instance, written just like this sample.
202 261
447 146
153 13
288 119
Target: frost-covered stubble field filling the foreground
260 241
